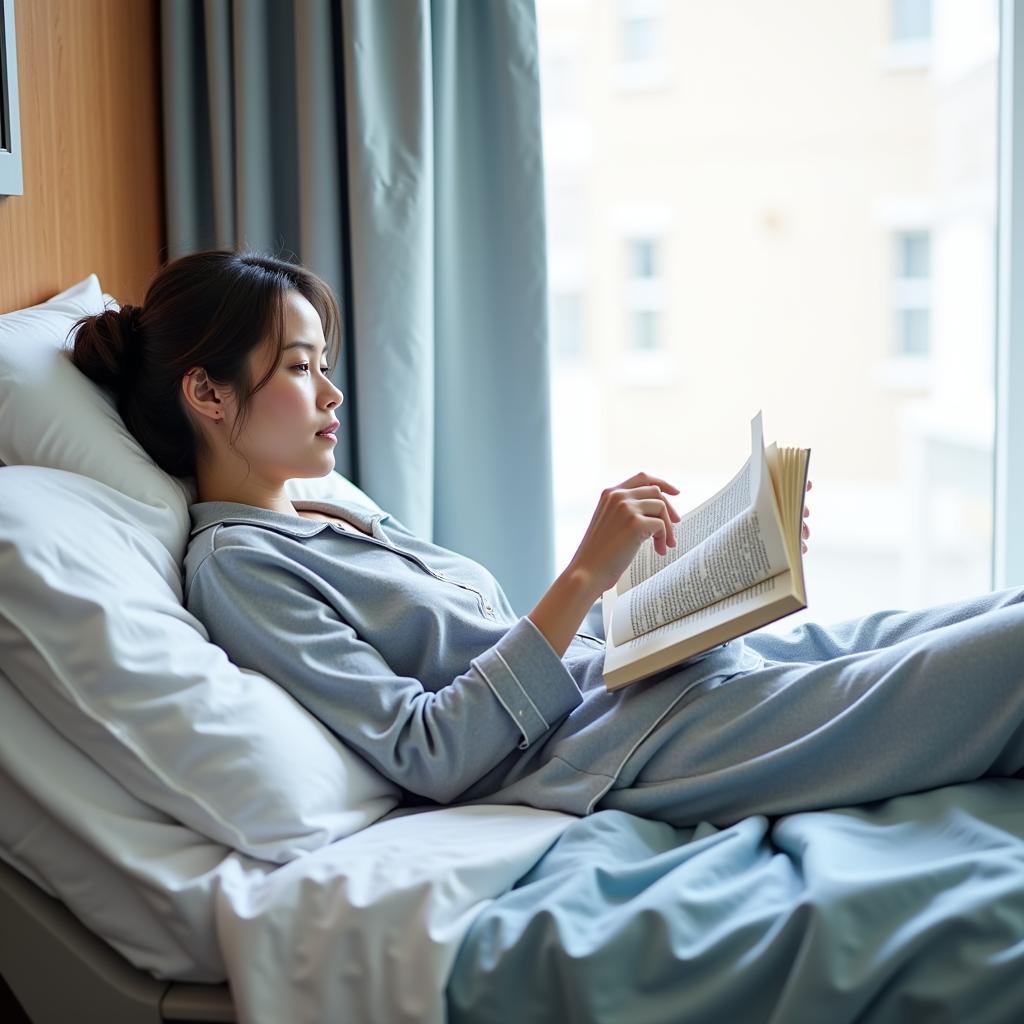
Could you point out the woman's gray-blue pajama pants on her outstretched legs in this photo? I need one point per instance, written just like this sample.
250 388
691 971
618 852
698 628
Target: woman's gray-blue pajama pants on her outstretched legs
893 703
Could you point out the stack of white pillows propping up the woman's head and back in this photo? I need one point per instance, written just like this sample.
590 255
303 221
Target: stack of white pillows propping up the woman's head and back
95 635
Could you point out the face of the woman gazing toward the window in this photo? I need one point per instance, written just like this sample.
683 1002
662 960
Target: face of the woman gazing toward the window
281 438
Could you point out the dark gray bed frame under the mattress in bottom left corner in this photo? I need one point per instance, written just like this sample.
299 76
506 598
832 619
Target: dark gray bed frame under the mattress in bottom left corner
56 970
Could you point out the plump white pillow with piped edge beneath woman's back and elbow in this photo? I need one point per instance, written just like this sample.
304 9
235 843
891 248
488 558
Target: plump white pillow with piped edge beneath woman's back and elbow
96 637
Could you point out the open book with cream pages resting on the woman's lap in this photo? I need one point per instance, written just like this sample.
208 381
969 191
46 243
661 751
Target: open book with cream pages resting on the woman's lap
737 566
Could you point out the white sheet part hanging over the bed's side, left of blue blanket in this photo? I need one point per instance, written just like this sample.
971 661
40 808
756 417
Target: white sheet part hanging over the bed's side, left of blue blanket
368 929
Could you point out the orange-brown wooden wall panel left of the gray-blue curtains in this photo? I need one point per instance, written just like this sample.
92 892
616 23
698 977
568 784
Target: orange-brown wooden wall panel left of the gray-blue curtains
92 151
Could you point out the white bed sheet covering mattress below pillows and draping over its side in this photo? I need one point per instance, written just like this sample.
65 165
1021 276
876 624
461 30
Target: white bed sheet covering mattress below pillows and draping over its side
364 929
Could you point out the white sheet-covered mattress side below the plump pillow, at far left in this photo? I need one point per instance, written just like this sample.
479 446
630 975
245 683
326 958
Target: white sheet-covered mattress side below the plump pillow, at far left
116 863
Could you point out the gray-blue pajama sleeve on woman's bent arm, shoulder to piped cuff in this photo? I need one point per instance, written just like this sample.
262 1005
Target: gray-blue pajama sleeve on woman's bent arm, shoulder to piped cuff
270 615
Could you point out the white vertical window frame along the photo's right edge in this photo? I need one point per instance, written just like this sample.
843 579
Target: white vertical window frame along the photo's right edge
1008 538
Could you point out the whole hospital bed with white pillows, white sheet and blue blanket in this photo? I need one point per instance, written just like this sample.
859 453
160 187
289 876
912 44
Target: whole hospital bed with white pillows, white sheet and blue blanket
180 841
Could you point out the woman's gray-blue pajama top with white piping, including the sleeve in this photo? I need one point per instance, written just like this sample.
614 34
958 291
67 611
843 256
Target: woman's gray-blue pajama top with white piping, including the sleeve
413 657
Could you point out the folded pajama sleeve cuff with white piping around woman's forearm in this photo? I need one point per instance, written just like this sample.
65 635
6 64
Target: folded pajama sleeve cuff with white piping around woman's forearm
530 680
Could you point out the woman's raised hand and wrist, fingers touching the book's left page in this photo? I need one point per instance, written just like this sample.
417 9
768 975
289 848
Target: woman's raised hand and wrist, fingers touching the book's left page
627 515
